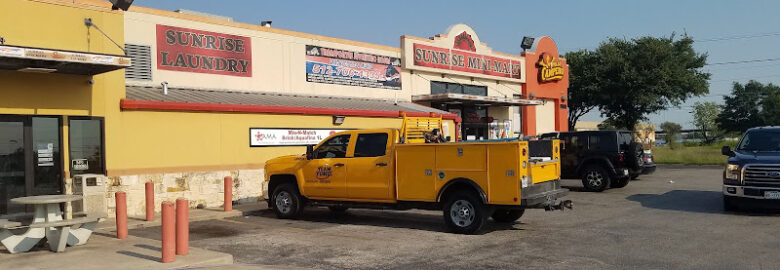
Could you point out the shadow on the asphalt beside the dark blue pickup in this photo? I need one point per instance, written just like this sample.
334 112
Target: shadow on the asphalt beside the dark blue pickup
697 201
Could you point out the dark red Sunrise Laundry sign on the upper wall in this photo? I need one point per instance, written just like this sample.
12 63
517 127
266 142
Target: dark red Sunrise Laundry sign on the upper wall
189 50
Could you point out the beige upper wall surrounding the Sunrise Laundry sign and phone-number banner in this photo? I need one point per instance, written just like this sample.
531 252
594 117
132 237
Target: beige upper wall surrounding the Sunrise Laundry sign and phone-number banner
278 60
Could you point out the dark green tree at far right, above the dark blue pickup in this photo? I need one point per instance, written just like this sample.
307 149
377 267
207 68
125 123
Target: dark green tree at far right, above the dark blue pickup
750 105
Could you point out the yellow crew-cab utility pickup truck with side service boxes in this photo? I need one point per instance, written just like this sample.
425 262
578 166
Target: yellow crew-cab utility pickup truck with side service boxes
392 169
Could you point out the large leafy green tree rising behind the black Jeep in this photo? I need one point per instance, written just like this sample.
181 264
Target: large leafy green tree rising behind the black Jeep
647 75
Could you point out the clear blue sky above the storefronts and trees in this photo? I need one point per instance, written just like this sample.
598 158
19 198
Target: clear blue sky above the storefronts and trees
573 24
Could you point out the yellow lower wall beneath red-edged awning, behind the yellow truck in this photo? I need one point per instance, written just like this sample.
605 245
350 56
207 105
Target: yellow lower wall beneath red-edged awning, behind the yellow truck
157 142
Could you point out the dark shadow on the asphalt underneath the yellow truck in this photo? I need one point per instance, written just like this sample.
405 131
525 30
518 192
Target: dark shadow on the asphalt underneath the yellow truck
384 218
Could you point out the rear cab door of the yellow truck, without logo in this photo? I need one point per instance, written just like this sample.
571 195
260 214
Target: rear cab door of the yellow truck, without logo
369 174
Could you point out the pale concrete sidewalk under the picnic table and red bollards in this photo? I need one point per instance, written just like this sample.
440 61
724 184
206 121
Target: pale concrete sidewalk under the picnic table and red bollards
104 251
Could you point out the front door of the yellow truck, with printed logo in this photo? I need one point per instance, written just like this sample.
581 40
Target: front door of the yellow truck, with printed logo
325 174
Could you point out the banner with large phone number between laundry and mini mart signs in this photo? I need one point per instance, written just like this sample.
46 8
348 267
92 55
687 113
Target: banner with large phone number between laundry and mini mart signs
333 66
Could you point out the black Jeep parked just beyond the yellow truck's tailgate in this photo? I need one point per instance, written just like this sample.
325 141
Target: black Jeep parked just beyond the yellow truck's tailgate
602 159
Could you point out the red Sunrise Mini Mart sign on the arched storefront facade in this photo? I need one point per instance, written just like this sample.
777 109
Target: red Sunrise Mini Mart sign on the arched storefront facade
441 58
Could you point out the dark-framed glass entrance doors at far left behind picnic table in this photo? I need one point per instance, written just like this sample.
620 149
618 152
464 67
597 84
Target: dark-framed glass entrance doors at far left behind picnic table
30 158
